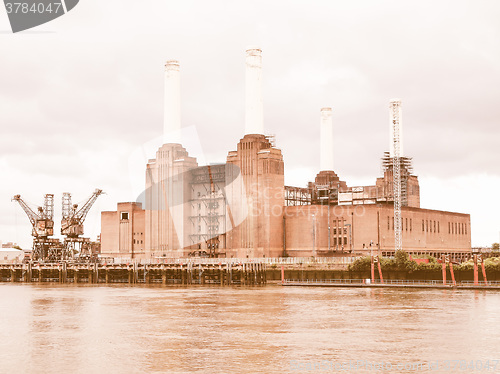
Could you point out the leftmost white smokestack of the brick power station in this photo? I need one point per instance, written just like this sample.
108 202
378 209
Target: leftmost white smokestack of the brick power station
172 103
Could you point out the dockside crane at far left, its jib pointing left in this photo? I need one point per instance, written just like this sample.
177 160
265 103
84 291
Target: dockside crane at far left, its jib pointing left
45 248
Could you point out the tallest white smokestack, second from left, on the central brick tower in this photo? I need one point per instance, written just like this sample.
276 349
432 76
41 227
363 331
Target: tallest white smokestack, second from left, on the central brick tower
254 119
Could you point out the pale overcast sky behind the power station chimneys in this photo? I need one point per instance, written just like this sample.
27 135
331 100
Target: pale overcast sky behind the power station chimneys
81 94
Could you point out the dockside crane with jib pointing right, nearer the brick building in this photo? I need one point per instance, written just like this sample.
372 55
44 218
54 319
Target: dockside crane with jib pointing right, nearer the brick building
72 225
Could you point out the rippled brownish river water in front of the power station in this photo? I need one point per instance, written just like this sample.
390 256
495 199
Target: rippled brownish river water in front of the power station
272 329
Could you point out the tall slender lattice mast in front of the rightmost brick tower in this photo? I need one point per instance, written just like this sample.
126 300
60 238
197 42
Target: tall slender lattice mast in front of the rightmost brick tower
395 110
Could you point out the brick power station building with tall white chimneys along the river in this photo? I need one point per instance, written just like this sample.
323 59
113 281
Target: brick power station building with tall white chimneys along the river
243 209
